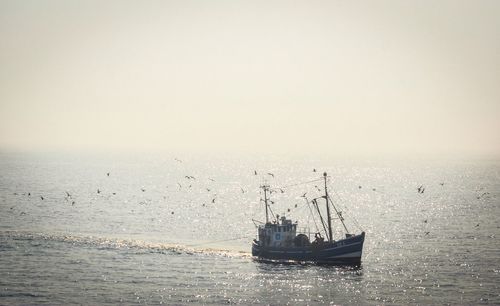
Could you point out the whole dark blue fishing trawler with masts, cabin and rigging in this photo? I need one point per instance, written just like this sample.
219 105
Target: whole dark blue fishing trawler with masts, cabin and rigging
280 240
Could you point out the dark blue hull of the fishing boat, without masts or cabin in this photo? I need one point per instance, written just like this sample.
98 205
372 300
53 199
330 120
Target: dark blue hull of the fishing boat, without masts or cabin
343 252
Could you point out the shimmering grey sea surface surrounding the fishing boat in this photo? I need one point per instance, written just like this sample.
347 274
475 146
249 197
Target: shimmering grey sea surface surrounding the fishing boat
151 235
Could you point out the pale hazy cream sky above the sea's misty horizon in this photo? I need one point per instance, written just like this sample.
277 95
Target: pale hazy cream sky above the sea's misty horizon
346 77
